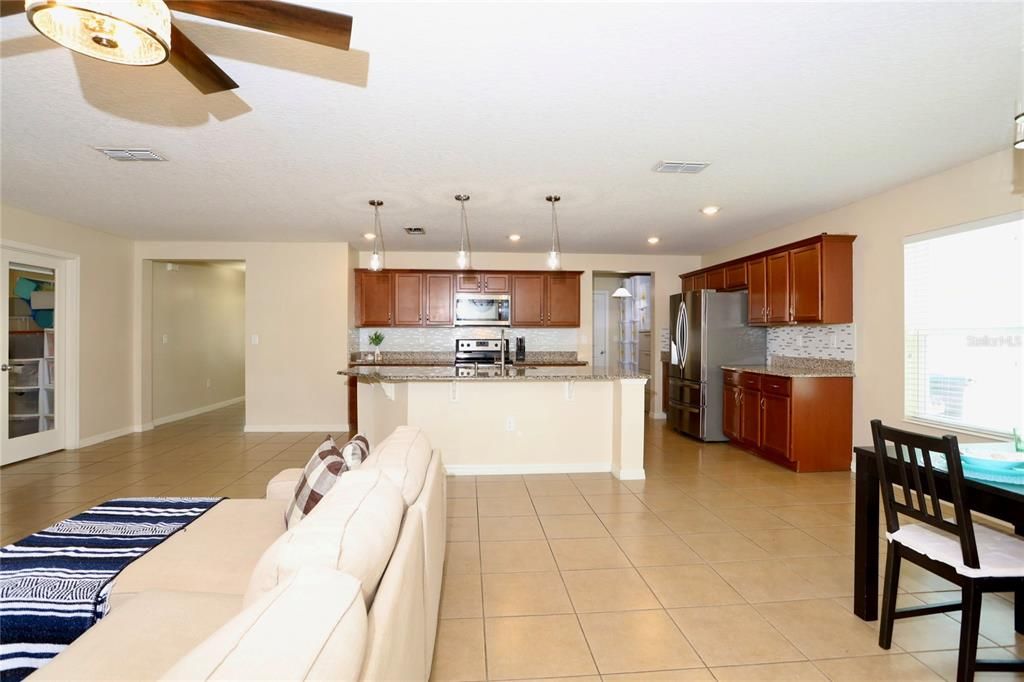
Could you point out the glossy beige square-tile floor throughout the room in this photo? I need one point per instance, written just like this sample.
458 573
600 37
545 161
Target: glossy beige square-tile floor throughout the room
718 567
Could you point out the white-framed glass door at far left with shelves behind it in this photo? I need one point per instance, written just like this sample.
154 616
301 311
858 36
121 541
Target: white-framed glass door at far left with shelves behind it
32 365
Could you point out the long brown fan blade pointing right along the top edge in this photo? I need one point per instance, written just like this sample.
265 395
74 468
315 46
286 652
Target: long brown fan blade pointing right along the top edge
315 26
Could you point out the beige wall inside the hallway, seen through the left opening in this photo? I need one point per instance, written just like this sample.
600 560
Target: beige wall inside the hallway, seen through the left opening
198 337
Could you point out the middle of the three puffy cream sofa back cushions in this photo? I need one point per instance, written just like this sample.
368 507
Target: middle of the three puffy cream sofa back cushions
353 530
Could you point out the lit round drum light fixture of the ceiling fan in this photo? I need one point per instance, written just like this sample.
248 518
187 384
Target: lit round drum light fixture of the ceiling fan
130 32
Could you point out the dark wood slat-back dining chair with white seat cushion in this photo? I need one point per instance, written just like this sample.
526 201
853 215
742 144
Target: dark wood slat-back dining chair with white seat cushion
977 560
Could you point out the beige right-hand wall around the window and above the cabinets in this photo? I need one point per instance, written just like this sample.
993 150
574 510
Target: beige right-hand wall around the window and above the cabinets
979 190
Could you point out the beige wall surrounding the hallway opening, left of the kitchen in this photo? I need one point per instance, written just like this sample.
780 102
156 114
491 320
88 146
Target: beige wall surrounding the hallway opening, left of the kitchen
296 303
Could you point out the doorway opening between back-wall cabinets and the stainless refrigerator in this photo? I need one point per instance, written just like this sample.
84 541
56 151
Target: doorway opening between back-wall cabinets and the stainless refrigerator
623 315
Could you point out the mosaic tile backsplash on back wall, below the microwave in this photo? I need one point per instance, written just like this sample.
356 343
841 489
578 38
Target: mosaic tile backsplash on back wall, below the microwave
443 339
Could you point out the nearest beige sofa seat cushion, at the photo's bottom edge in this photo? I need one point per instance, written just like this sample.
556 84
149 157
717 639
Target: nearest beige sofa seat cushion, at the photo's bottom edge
143 637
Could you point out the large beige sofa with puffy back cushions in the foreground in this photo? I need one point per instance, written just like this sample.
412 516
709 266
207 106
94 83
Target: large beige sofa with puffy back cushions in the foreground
350 593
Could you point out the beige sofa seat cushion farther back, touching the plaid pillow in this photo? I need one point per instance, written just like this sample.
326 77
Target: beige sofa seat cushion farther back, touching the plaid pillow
215 553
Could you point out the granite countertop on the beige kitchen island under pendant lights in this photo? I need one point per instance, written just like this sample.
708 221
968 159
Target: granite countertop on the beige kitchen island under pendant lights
406 374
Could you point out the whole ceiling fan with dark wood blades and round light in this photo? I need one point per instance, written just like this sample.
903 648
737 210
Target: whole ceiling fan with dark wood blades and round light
141 32
